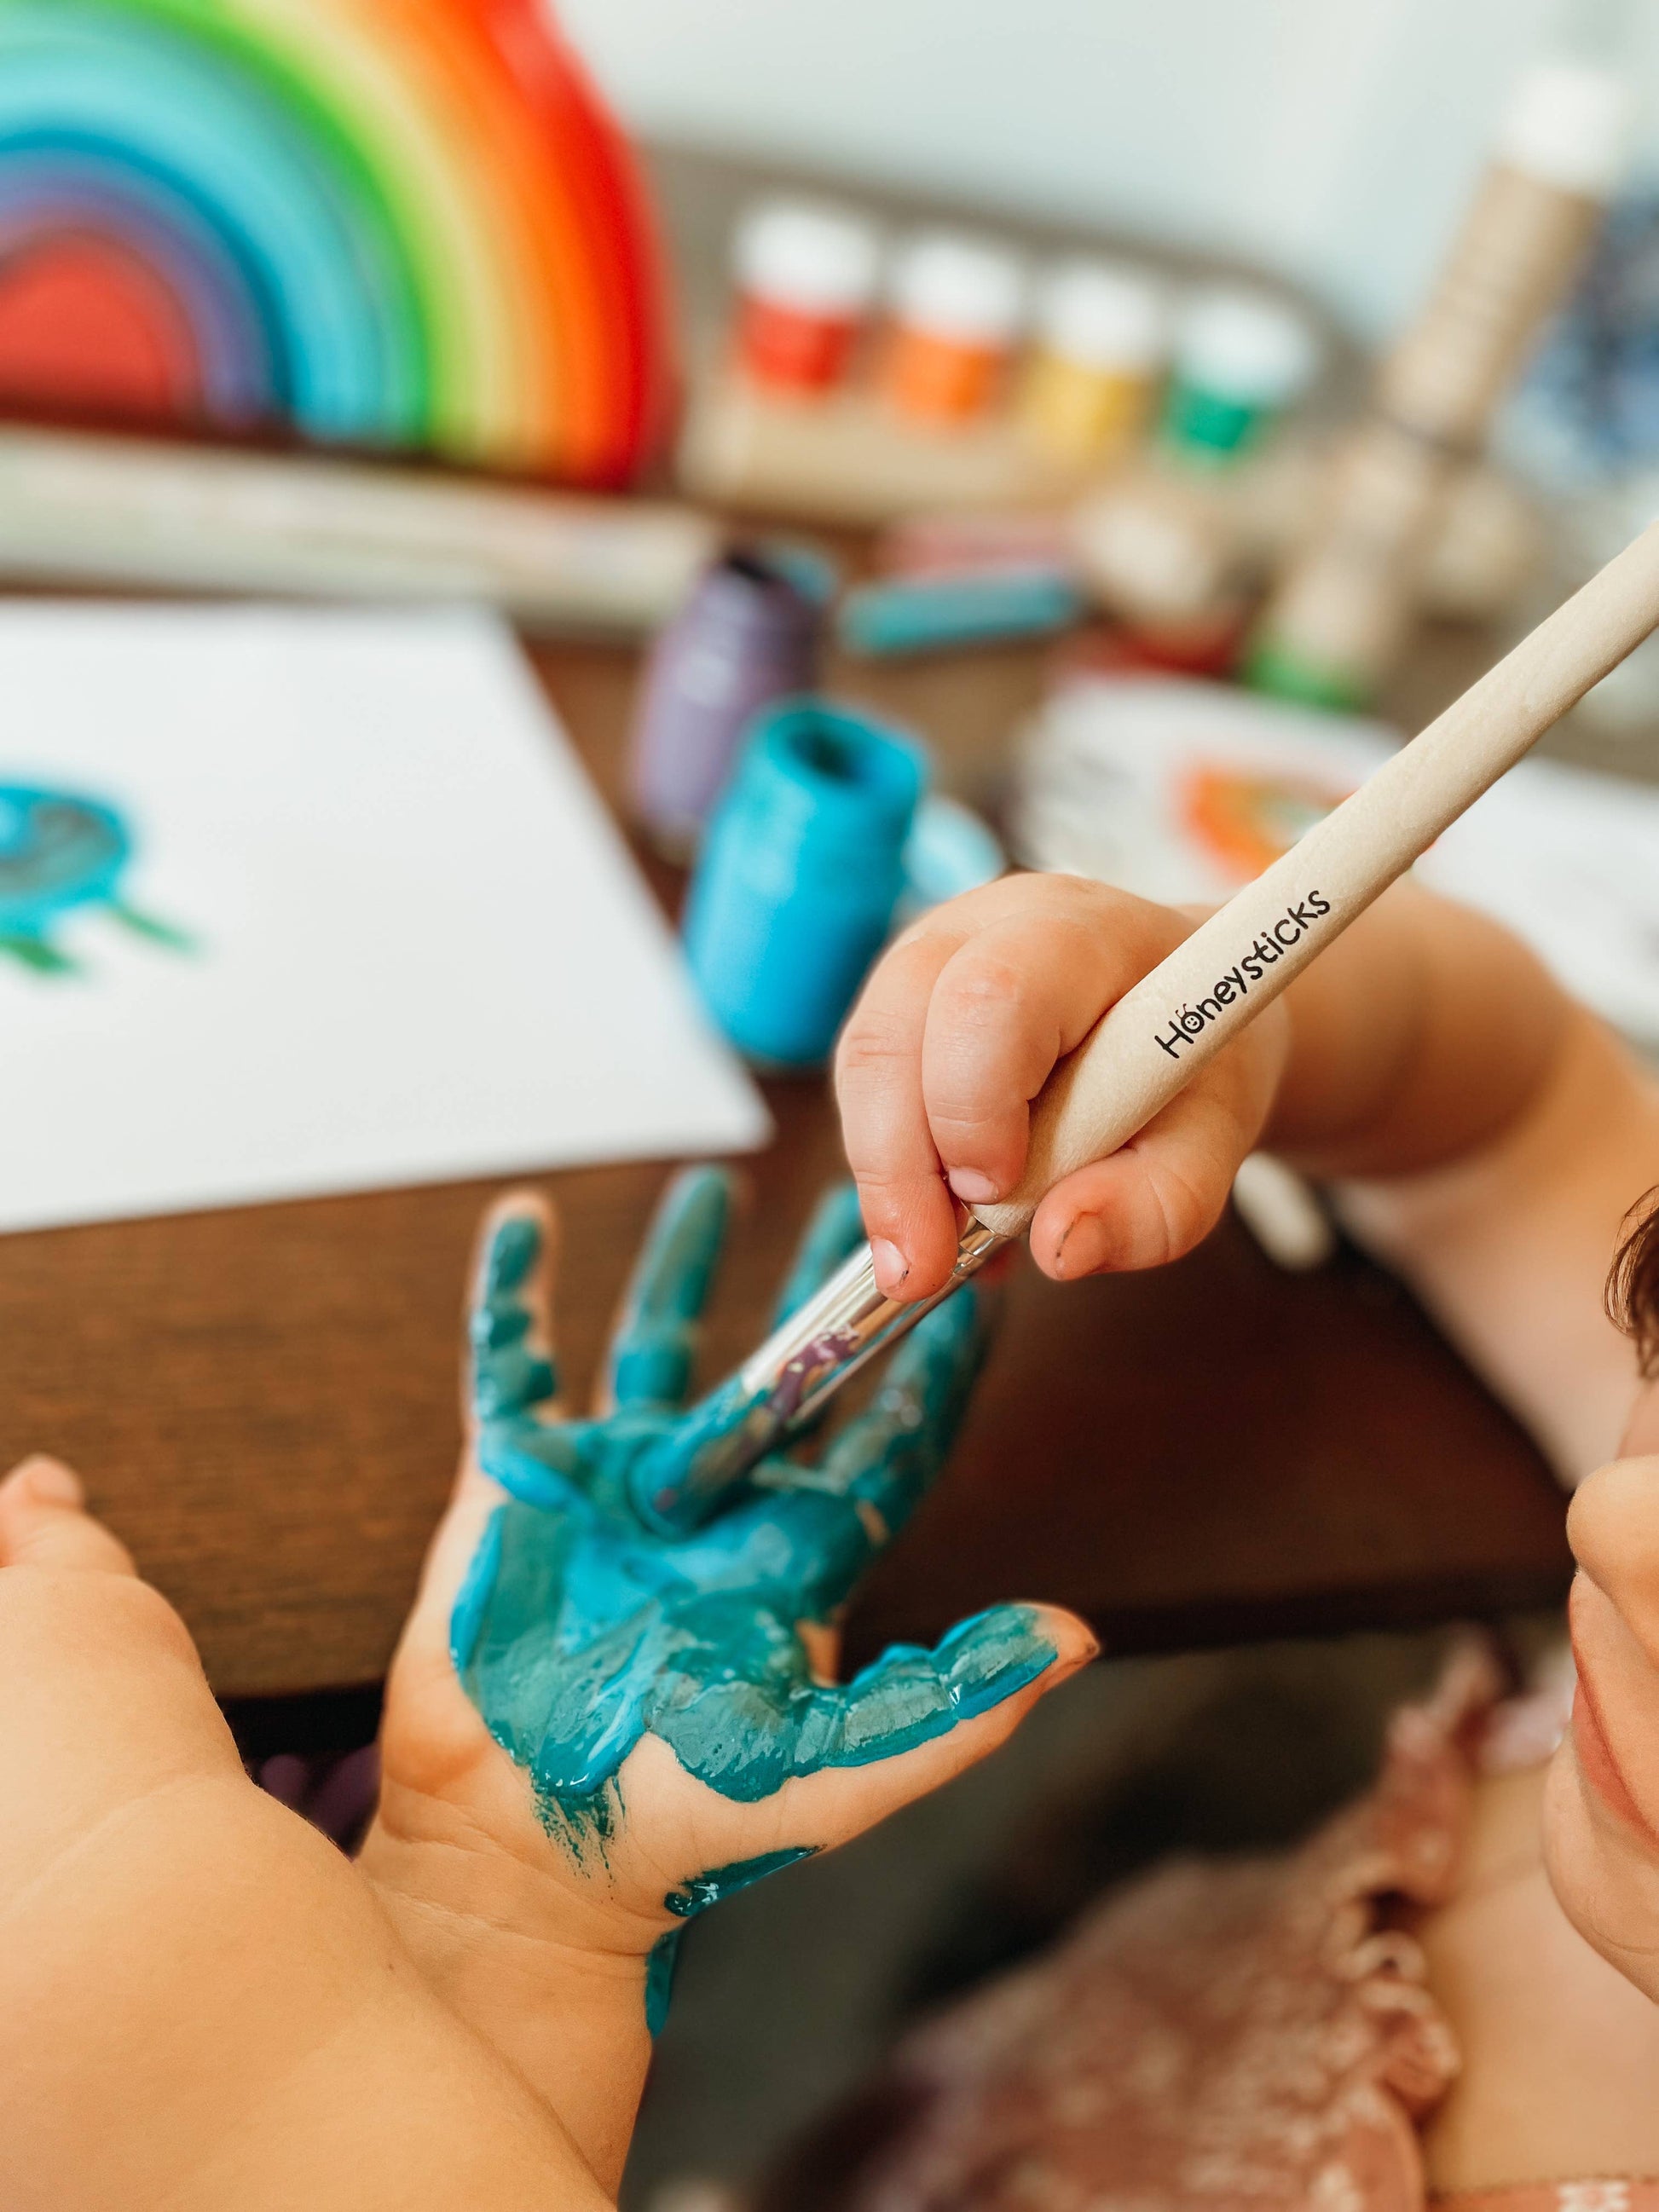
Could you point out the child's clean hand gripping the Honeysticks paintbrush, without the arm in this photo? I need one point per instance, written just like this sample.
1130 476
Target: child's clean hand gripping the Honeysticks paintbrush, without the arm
957 1034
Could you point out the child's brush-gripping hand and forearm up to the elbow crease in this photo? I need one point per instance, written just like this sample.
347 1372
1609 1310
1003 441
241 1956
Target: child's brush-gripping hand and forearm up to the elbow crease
1421 1032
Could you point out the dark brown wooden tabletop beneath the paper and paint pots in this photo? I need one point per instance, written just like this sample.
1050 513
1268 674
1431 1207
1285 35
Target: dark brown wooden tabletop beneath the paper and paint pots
267 1401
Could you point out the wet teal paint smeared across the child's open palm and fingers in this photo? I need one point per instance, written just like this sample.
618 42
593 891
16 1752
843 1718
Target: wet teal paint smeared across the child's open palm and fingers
581 1629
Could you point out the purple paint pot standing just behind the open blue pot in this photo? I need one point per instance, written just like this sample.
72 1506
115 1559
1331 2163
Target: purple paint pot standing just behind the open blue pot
747 636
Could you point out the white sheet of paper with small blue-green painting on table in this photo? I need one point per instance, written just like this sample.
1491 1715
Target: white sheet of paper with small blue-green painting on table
419 946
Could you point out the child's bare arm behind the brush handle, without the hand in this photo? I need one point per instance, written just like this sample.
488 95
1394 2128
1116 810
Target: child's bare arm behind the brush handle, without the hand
1490 1136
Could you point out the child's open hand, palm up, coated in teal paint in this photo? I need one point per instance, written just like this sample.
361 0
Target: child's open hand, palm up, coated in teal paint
636 1724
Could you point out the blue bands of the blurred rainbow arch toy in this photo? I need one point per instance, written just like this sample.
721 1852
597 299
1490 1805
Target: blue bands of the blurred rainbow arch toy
313 295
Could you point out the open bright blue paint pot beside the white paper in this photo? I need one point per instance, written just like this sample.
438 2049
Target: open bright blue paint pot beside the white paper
800 877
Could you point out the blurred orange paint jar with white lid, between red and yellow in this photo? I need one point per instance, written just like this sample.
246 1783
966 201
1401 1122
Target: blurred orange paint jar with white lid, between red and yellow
957 309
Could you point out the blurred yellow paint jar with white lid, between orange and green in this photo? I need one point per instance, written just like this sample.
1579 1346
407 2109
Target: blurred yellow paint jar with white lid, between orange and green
1100 351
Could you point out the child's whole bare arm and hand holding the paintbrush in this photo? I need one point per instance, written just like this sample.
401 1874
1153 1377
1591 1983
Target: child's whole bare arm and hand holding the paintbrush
1426 1061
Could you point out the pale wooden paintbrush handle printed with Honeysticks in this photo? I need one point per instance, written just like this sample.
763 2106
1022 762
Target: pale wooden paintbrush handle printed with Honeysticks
1162 1032
